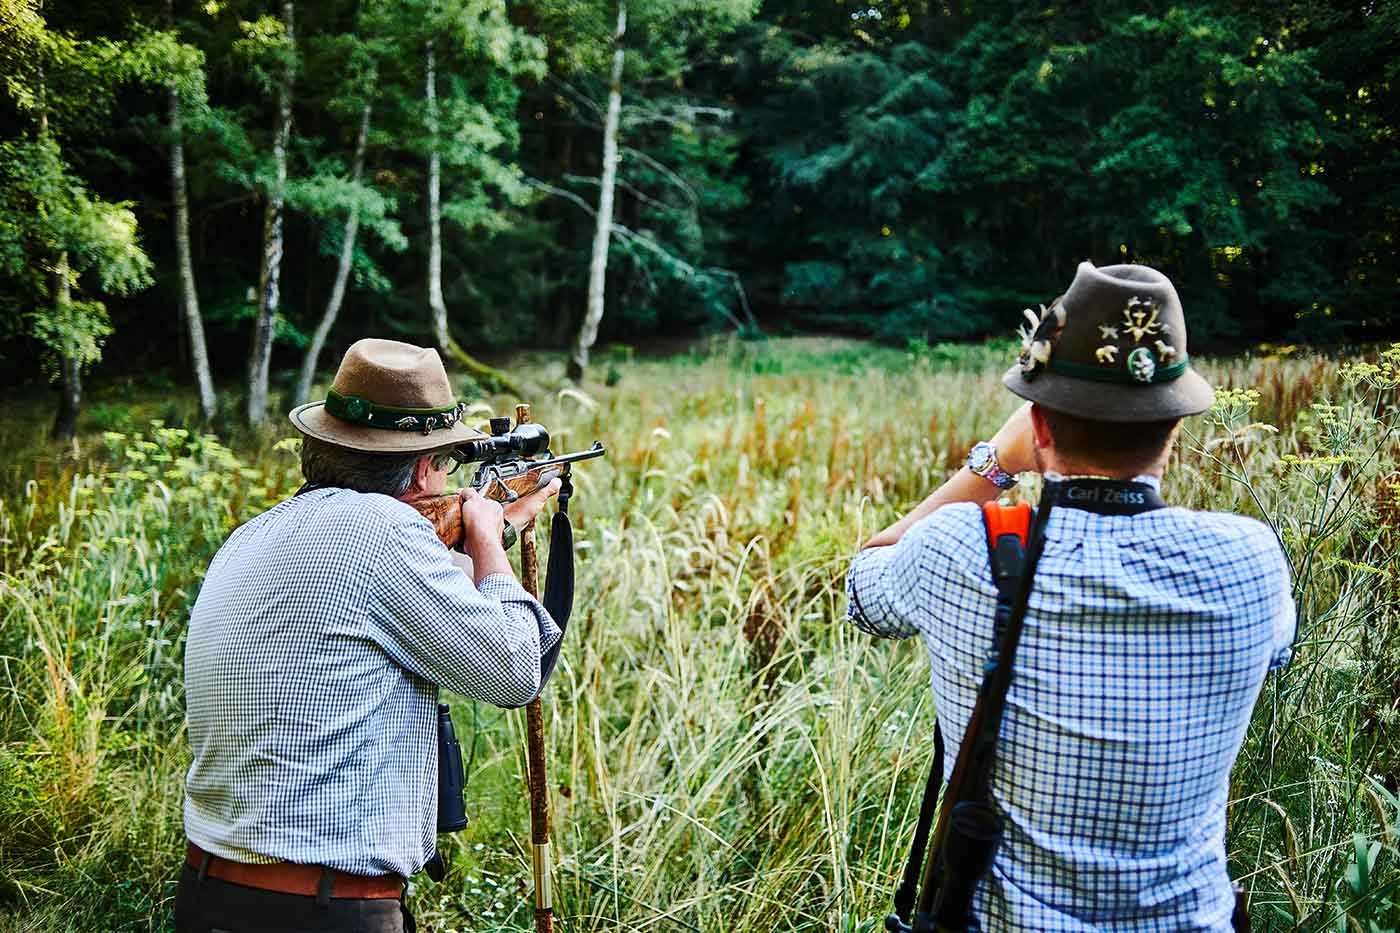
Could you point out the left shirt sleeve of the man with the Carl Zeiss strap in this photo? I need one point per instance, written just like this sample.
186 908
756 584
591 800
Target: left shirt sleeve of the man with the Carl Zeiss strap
883 582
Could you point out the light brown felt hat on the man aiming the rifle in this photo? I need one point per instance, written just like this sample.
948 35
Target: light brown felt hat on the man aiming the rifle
387 399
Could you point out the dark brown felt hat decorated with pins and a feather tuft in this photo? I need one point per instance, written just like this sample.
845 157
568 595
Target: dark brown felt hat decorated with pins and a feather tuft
1111 350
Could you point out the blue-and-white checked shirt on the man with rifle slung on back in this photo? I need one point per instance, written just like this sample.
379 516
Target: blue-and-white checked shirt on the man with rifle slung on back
1144 649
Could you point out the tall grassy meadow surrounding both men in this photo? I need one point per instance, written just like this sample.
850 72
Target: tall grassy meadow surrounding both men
726 752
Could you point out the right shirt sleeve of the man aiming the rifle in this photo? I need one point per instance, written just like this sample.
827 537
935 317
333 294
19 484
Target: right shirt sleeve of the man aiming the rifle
482 642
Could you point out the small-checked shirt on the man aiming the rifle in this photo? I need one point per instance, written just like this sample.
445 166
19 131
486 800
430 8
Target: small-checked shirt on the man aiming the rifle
313 665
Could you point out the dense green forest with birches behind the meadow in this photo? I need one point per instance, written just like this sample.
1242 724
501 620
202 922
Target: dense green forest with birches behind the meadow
227 193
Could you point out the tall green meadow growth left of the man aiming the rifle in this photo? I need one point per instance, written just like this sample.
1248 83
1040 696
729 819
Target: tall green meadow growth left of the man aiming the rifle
96 576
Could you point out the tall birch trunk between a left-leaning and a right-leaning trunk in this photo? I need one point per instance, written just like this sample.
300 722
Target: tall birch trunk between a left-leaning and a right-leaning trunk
269 279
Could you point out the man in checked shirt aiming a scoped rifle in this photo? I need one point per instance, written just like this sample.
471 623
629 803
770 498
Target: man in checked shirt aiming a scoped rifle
317 647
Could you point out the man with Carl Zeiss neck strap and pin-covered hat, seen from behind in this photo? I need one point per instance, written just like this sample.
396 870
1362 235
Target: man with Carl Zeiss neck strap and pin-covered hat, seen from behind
1144 644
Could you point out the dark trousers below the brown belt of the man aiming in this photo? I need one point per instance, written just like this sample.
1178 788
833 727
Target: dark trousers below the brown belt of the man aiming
219 907
